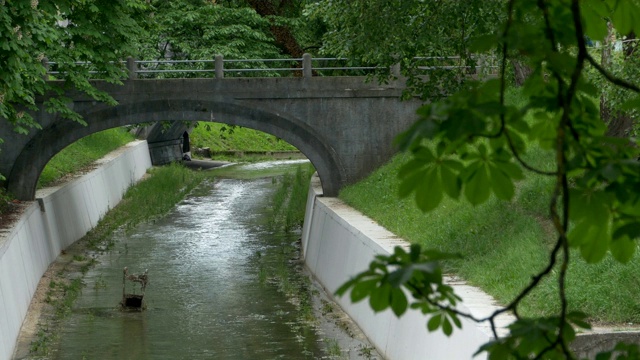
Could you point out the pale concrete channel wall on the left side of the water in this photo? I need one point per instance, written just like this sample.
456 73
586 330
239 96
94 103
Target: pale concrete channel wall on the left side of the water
61 216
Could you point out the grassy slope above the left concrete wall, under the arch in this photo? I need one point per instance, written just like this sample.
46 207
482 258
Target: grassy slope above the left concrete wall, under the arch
82 153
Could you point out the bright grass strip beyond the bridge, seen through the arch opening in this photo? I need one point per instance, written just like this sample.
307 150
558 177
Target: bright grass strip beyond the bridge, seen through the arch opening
221 137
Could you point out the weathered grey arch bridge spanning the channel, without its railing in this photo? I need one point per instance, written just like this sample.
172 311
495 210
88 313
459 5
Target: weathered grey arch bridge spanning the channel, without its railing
344 125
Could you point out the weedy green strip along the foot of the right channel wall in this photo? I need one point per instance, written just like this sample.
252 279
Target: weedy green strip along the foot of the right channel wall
287 205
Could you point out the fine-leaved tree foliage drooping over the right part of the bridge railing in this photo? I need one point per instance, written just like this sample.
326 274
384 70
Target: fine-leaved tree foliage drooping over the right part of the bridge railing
418 35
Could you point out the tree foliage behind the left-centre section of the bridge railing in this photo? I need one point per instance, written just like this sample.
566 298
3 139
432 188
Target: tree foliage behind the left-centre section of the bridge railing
200 30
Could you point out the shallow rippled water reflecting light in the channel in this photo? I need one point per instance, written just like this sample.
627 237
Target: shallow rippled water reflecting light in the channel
205 299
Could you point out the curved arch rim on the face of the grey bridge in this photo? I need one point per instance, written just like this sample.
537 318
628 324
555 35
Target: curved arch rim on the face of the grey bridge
23 178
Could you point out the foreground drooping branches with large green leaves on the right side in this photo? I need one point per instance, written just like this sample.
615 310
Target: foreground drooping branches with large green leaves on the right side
473 144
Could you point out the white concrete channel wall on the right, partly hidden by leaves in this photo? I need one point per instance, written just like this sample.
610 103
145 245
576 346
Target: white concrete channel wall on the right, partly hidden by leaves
339 242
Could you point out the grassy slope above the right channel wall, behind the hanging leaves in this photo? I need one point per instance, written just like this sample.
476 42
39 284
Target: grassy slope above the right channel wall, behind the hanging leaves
503 244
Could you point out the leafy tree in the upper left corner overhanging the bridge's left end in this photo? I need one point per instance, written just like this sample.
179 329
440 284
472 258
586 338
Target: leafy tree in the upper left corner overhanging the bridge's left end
70 33
